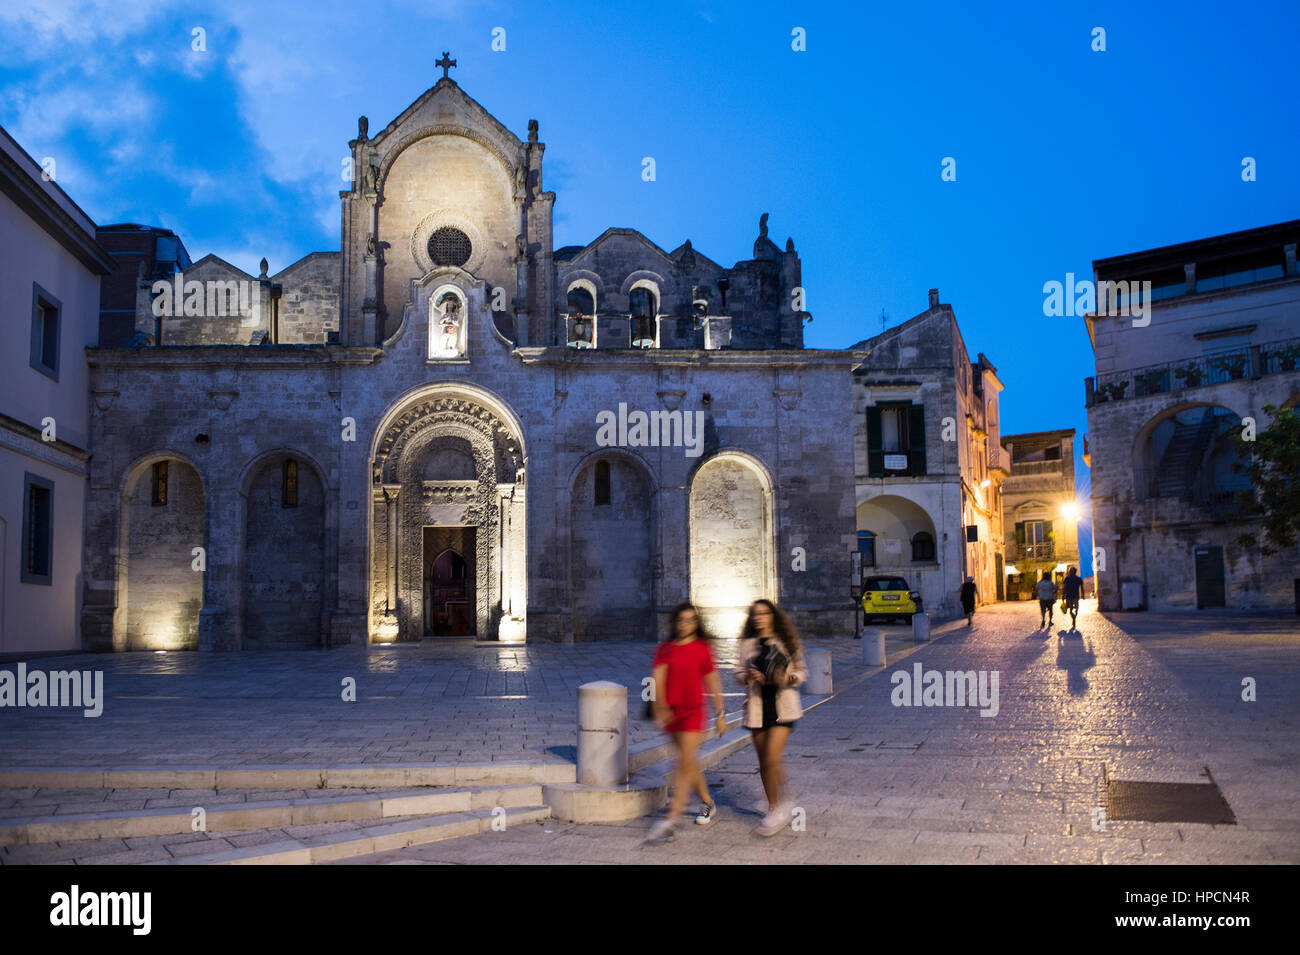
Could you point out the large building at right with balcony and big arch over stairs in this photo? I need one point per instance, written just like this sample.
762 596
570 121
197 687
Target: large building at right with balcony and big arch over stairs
1219 341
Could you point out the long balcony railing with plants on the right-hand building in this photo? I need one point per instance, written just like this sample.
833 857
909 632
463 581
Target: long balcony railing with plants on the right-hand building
1275 358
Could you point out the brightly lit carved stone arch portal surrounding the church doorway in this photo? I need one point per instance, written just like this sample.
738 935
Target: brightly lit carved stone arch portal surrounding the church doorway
486 514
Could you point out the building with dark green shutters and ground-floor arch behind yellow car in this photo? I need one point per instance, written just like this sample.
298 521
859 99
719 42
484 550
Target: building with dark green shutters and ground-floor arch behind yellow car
929 461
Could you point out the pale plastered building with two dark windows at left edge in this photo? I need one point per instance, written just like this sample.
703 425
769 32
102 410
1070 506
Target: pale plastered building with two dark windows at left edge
50 274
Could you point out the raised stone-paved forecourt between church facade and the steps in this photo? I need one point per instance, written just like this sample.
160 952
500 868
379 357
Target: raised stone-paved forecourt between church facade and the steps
422 704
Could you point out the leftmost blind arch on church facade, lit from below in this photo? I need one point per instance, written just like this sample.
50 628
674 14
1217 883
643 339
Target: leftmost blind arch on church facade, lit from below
159 591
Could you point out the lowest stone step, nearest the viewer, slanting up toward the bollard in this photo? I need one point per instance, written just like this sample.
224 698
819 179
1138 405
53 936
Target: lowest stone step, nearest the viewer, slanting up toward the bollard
379 839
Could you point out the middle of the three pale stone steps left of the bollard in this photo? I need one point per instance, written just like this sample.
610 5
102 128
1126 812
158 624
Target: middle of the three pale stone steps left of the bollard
263 815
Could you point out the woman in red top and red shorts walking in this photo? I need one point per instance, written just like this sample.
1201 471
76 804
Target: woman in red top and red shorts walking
683 670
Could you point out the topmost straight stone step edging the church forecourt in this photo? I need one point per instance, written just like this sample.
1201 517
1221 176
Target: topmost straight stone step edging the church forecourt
379 776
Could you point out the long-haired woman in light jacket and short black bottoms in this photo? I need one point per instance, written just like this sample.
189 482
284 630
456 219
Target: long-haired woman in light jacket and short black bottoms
772 666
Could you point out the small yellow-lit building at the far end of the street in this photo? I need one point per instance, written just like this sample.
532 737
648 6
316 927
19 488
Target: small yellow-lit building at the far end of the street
1041 514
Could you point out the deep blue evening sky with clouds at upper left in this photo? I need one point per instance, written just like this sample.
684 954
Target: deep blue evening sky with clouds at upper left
1064 155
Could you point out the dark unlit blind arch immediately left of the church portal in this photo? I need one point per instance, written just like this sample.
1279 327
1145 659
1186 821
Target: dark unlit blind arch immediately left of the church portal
285 553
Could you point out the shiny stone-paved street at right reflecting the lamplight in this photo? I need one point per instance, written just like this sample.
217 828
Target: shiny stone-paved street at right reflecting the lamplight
1147 697
